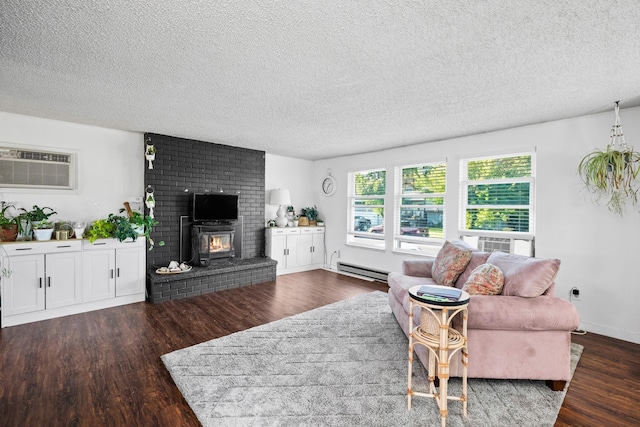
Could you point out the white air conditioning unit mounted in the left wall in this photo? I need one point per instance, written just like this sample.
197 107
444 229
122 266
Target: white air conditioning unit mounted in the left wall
26 168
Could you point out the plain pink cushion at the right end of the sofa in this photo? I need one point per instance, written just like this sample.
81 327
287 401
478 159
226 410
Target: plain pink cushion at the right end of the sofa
525 276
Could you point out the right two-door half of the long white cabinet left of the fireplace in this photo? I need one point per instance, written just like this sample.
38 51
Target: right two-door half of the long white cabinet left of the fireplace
113 269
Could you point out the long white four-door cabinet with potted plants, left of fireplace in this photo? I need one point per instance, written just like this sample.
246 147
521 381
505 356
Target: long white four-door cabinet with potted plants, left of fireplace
43 280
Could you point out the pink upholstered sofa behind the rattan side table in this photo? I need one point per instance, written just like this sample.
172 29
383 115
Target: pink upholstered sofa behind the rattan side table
523 333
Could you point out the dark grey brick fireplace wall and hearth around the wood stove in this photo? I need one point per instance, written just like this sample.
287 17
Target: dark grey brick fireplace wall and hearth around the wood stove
183 167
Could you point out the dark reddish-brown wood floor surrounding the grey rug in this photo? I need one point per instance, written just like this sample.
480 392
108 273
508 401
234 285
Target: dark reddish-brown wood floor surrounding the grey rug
104 369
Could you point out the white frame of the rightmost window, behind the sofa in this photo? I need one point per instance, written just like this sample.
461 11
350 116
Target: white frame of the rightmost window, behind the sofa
531 206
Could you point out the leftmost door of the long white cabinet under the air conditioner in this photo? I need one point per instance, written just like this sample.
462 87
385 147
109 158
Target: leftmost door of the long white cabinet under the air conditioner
23 290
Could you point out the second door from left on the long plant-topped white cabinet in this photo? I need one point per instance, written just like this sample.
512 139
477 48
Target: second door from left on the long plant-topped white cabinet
63 279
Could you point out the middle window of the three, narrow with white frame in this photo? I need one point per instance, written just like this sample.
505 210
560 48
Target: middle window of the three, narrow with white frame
419 207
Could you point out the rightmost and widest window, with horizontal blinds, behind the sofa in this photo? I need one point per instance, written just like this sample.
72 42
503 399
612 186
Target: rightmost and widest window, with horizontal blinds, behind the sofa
498 195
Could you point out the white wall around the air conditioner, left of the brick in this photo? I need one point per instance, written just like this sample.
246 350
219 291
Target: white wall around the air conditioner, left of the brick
110 169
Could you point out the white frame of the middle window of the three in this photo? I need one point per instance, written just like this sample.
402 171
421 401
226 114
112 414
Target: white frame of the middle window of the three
426 246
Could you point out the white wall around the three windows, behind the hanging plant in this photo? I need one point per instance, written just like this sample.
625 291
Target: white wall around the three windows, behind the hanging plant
598 249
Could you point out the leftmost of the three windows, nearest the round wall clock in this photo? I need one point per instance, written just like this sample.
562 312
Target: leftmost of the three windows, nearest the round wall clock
367 191
